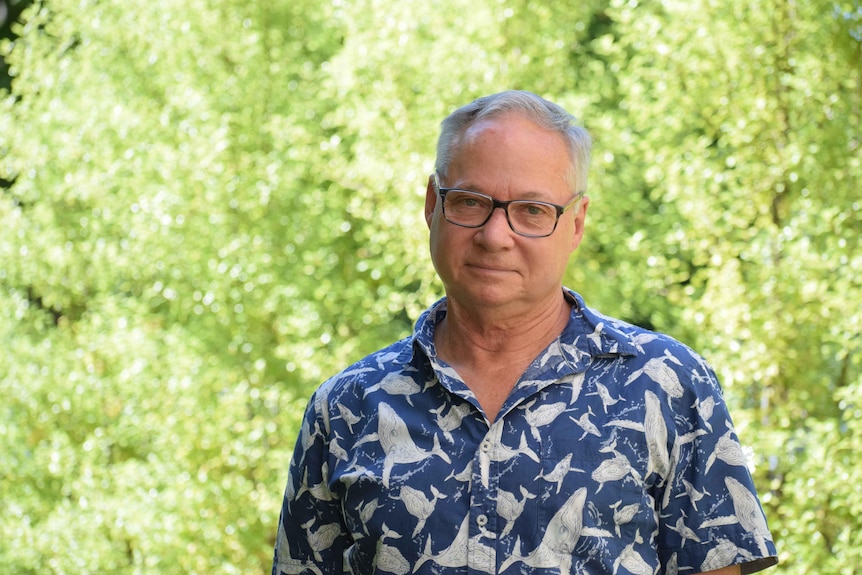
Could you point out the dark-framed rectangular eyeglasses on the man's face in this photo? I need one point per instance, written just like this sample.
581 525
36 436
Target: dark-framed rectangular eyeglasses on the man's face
526 217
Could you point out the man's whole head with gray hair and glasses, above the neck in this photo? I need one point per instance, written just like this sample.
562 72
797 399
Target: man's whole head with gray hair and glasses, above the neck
514 147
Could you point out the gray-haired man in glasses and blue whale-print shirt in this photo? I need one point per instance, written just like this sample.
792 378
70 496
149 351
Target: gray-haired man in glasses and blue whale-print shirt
517 430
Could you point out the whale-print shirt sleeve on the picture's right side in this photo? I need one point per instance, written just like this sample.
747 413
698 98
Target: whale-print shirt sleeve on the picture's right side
710 514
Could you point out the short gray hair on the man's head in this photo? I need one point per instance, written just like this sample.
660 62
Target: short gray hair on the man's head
536 109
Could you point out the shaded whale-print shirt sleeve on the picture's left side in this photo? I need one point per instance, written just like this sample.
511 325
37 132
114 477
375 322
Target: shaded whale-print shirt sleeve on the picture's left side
311 532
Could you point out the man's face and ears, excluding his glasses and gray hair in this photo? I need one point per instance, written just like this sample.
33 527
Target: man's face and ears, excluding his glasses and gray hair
509 158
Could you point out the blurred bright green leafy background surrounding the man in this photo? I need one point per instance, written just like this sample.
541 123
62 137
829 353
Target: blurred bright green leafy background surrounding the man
208 207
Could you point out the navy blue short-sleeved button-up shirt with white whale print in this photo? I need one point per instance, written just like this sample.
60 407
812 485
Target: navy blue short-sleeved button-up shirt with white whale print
614 454
